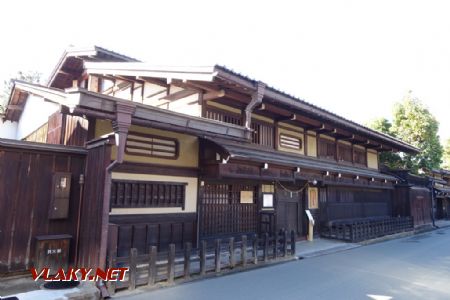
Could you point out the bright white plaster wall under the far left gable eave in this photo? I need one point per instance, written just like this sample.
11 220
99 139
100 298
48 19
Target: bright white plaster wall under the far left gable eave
34 115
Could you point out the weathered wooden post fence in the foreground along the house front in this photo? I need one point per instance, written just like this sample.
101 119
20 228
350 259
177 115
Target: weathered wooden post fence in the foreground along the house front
166 267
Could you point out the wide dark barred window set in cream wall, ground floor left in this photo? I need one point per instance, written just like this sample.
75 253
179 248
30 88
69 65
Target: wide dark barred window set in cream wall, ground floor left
129 194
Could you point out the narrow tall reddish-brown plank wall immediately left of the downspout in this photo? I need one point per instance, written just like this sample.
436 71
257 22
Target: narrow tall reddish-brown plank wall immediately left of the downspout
97 160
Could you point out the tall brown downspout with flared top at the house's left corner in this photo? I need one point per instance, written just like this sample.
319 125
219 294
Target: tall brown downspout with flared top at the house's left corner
124 112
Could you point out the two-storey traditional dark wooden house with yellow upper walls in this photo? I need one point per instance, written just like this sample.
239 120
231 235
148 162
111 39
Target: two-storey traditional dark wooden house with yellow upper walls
176 154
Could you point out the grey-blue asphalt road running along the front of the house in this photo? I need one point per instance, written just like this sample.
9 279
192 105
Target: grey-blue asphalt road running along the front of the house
416 267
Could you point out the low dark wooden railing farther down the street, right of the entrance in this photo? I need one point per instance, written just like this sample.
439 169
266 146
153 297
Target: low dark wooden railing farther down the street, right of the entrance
356 230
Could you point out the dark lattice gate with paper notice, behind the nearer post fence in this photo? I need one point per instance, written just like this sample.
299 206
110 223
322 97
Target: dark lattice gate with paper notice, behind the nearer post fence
228 209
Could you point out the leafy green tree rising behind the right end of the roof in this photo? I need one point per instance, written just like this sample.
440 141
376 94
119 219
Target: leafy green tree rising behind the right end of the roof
413 123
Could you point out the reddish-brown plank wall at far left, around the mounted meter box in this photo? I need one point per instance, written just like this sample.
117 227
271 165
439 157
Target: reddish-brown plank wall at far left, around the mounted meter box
25 193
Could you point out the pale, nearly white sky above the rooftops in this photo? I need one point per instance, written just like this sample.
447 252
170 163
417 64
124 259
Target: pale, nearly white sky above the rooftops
355 58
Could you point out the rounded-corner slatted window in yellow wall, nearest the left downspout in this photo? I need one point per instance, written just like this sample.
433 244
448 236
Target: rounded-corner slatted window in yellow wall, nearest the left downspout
151 145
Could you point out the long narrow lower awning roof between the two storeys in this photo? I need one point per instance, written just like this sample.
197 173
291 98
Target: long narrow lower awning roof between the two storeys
248 152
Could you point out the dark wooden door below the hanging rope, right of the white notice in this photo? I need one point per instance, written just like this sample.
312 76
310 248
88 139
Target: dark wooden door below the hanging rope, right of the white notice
289 211
